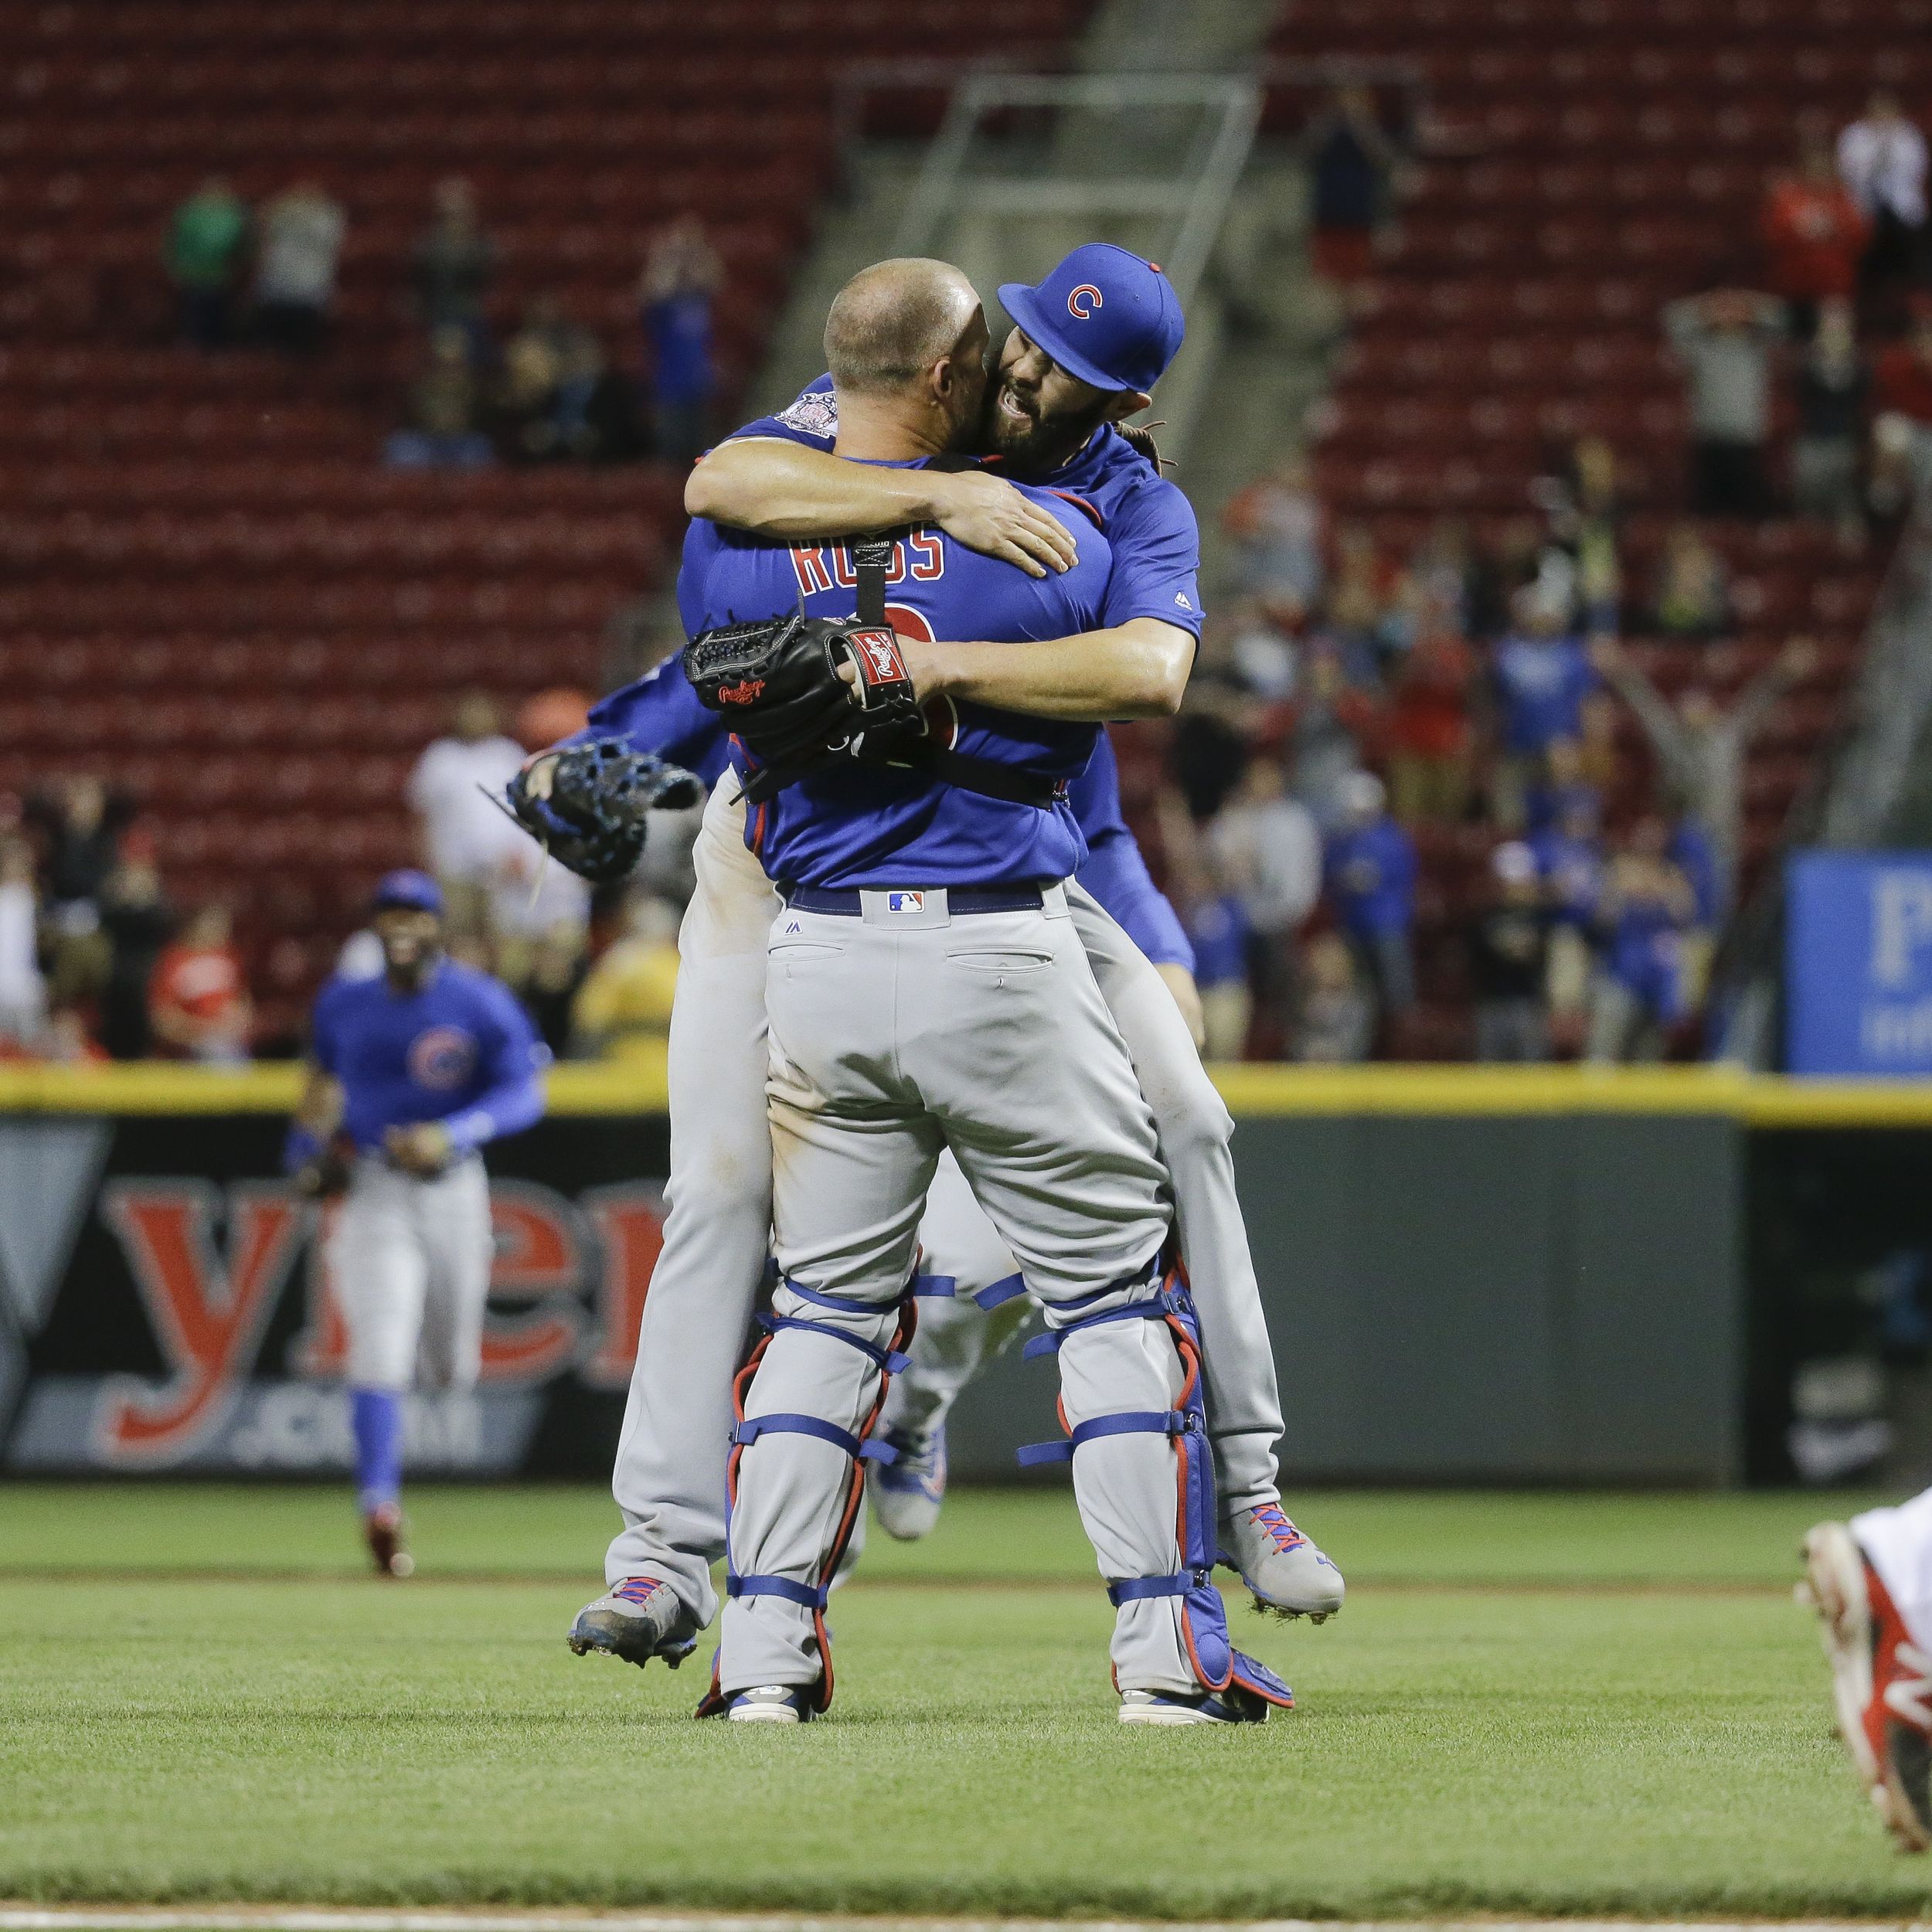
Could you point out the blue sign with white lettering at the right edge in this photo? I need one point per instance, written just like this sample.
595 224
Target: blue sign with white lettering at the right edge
1860 963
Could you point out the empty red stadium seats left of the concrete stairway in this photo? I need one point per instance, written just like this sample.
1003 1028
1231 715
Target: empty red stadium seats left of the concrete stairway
212 592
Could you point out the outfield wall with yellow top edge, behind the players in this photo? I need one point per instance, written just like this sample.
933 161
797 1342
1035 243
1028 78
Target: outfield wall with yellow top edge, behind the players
1521 1276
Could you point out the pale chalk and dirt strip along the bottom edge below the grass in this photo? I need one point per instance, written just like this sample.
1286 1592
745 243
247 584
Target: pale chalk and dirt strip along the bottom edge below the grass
486 1919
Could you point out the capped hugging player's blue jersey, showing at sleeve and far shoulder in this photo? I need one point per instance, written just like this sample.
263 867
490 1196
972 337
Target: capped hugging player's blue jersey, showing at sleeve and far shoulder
1149 521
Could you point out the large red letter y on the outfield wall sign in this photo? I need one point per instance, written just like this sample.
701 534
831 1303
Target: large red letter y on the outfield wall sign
208 1307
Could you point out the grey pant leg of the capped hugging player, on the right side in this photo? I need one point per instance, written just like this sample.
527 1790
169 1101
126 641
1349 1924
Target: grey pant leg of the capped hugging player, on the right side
1197 1133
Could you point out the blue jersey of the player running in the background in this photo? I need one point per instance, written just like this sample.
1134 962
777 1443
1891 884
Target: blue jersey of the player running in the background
461 1050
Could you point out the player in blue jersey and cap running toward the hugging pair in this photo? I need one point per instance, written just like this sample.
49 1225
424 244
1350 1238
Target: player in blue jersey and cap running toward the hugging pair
411 1075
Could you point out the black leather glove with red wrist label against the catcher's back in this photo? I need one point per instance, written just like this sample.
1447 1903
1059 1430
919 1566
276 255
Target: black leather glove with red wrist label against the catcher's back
780 683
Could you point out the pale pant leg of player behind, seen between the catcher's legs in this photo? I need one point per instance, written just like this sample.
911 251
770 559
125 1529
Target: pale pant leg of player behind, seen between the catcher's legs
955 1334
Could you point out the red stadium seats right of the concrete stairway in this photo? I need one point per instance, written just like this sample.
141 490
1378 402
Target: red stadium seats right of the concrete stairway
1583 163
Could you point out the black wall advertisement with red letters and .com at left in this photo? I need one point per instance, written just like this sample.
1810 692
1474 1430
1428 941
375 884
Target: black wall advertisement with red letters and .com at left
156 1321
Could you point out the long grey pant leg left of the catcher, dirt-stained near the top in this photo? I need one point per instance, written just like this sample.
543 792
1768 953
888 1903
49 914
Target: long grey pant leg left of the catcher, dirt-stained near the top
669 1477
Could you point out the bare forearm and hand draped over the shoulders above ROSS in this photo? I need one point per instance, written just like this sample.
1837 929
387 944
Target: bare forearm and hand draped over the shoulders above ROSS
785 490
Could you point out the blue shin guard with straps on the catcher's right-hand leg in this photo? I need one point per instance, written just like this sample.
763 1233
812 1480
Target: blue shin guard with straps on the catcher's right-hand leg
1212 1657
